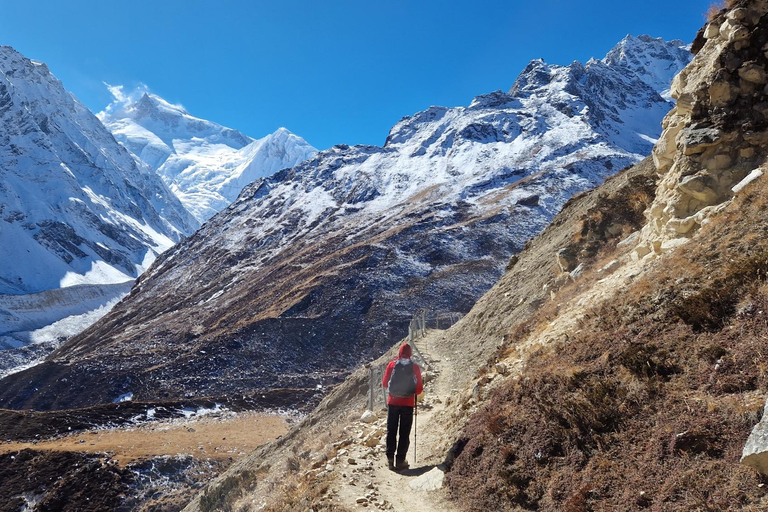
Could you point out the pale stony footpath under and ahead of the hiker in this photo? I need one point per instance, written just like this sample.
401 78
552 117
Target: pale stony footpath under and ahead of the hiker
362 478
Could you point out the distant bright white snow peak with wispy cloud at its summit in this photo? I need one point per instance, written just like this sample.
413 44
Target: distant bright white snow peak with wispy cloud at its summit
204 163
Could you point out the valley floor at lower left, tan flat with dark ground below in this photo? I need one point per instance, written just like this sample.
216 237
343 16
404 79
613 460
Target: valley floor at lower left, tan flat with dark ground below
148 465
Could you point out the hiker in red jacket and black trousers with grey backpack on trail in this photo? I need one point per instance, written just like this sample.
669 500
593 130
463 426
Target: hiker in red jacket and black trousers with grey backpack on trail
402 380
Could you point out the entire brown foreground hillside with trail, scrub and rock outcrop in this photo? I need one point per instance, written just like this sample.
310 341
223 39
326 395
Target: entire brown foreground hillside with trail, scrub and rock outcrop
606 370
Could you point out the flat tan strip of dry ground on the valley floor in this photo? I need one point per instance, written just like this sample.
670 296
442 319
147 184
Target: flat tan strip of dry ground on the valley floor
231 436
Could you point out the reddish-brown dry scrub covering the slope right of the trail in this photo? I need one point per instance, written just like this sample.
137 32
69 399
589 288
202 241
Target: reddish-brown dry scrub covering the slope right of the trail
649 404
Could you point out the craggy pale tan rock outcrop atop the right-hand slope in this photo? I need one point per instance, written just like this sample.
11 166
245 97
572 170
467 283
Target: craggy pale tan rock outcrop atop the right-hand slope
718 131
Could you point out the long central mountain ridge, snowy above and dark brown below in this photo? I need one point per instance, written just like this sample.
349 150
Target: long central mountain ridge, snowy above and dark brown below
319 267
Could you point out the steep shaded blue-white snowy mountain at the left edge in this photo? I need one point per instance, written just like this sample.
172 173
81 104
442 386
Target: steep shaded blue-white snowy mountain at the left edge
76 210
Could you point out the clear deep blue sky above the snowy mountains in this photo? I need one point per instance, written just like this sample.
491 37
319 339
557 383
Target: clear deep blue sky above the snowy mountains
330 71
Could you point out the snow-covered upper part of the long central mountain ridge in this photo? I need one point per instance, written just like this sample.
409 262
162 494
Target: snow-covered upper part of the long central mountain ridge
559 130
